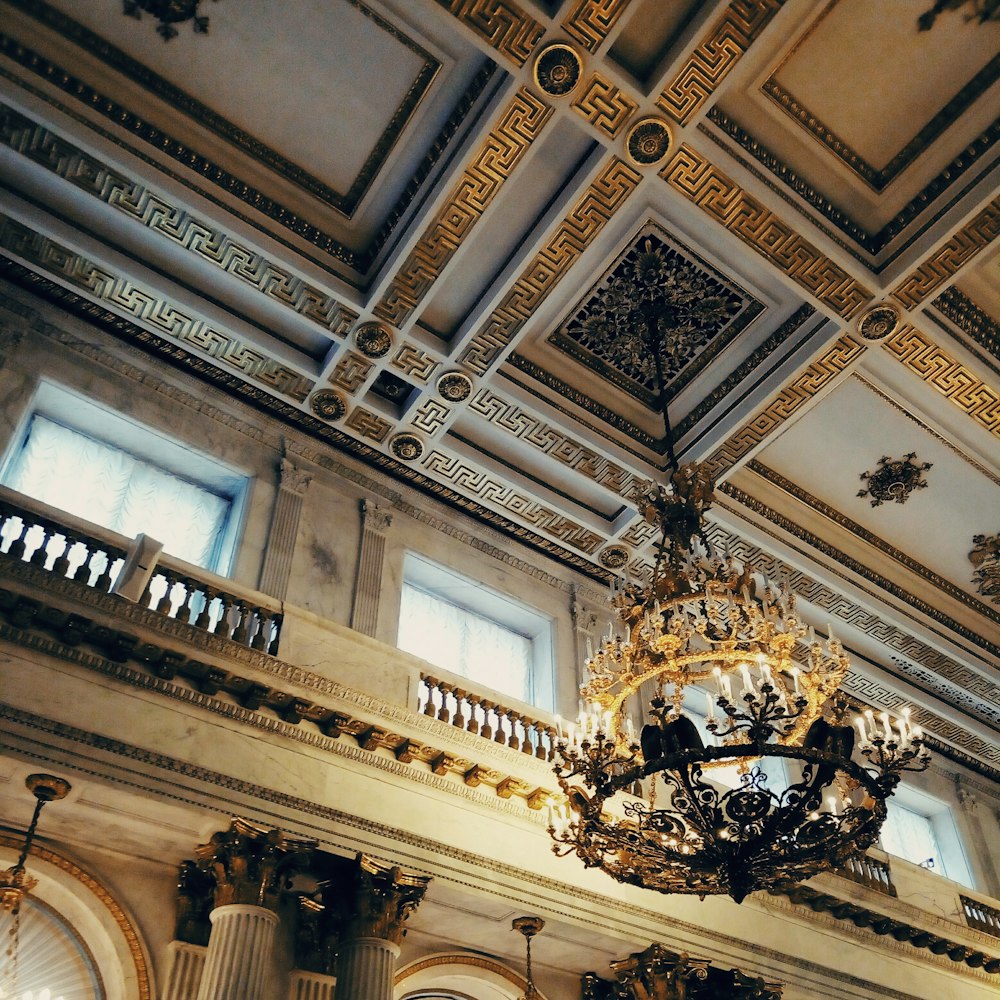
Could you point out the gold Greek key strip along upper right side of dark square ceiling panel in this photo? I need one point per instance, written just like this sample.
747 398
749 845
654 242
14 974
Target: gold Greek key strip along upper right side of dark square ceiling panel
703 183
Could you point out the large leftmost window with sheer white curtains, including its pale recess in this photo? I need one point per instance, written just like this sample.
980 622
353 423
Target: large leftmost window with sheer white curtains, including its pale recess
140 483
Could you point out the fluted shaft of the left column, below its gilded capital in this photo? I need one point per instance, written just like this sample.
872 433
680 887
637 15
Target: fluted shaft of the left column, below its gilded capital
239 953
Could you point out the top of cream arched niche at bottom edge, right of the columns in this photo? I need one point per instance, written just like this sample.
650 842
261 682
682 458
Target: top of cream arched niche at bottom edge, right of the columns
458 976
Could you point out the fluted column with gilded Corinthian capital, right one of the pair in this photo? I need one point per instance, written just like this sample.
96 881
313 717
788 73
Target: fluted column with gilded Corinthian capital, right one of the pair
379 900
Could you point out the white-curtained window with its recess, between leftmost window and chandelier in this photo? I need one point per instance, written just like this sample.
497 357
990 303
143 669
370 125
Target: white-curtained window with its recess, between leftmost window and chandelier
469 630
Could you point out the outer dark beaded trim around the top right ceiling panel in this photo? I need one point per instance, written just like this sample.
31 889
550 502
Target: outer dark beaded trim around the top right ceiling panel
872 242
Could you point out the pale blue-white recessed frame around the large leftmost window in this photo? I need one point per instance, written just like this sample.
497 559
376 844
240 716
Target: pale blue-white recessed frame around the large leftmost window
144 443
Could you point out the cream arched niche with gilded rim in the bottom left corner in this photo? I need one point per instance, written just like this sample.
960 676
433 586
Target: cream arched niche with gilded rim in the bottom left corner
71 904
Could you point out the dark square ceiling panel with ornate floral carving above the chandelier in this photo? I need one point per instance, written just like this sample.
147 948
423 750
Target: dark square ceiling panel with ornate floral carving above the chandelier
607 334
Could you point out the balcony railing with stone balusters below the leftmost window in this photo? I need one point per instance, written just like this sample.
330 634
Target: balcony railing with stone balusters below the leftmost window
67 547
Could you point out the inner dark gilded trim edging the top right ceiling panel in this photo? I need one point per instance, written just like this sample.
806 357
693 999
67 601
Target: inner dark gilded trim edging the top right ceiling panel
878 178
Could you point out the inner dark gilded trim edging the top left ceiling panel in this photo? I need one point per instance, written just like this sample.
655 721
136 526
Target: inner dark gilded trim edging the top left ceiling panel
205 117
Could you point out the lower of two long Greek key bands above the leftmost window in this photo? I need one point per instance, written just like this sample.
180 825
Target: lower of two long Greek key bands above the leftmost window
164 318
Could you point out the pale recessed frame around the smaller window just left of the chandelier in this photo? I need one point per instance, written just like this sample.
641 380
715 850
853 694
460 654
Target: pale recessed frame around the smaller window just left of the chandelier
495 606
